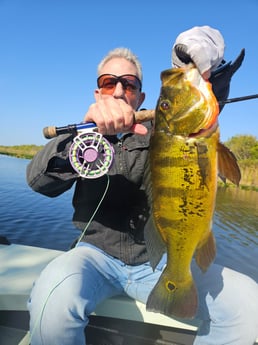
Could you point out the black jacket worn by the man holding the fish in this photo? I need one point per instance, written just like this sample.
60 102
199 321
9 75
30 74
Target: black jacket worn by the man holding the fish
119 223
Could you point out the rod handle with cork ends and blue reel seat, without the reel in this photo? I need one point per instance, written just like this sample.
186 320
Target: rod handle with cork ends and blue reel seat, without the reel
52 132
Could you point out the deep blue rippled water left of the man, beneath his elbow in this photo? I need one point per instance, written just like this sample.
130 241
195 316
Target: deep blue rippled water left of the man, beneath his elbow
29 218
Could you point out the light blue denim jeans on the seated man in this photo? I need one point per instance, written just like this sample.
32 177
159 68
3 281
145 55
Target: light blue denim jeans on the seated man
73 284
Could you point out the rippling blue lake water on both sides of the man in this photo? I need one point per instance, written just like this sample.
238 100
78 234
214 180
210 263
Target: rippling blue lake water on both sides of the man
29 218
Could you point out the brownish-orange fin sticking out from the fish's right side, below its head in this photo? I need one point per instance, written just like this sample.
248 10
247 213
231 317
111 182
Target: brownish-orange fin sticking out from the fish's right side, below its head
227 165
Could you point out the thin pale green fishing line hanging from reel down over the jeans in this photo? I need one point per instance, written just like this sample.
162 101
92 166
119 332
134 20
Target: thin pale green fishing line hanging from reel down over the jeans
39 317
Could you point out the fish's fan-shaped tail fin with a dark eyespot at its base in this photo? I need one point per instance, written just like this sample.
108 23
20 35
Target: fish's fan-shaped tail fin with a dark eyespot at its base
173 299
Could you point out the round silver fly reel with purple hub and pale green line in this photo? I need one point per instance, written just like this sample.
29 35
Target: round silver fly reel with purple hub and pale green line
91 155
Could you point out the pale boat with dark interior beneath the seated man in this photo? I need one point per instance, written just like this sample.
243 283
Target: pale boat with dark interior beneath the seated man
117 321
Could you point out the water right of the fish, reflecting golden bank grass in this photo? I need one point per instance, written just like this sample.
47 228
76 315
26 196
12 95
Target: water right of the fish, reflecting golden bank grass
236 229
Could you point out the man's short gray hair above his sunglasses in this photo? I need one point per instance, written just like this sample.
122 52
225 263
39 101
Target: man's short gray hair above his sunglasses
124 53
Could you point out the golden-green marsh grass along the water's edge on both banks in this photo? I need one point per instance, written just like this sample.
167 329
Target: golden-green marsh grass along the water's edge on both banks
249 168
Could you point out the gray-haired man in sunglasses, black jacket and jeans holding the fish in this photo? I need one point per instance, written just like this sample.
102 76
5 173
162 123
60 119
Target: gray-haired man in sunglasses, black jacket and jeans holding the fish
110 257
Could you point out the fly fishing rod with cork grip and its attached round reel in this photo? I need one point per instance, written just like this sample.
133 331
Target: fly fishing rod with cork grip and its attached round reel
91 155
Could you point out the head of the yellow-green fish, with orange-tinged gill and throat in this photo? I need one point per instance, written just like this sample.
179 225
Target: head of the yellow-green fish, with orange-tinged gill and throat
187 105
